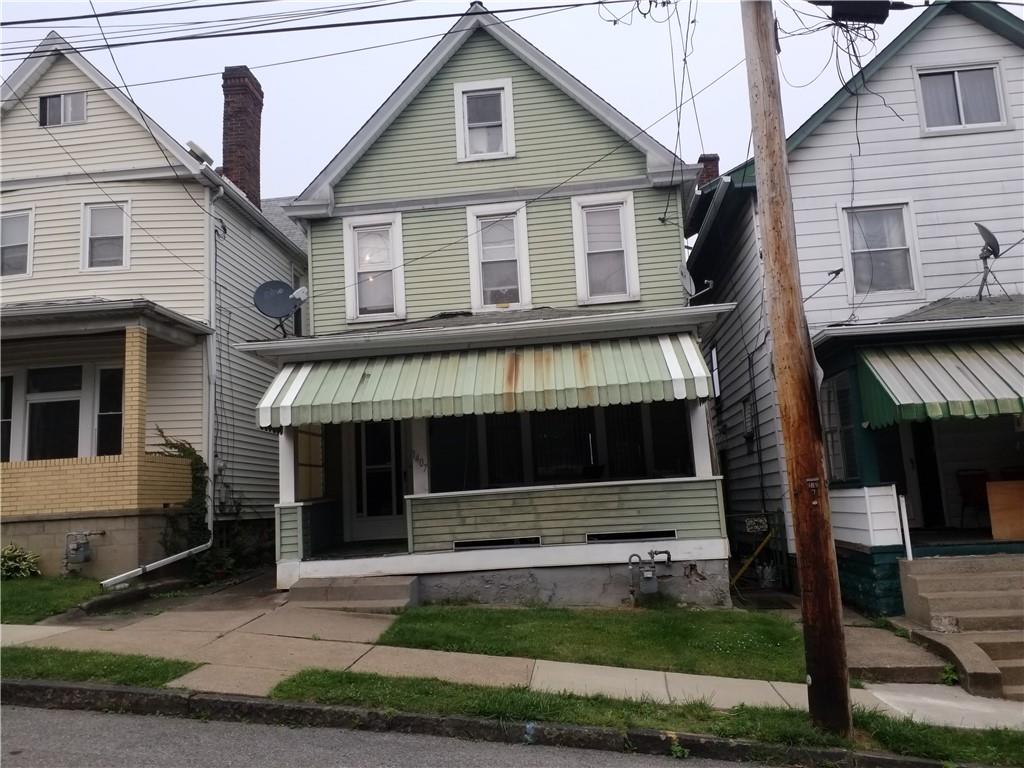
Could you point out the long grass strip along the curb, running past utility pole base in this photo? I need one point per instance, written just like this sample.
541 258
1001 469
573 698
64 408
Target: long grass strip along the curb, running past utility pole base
791 728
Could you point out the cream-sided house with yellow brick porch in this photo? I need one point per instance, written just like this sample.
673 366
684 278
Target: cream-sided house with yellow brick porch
129 272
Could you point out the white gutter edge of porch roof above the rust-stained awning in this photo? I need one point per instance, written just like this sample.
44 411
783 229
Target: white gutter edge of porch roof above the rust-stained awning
434 339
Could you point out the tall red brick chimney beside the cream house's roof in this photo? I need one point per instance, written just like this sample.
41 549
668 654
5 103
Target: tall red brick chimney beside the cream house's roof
243 110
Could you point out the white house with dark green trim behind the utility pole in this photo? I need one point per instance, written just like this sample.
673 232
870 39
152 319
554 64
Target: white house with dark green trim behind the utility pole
923 382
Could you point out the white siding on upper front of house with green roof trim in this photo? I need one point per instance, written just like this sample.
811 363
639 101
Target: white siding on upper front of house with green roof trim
949 182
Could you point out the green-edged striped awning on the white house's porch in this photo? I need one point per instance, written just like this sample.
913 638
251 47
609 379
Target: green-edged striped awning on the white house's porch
970 379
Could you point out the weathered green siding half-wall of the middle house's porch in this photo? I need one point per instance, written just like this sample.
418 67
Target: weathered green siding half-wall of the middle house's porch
566 516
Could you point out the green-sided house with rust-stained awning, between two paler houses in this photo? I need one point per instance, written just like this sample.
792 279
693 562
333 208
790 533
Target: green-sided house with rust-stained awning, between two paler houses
503 388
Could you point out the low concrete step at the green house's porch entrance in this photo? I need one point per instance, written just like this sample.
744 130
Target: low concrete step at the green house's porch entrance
359 594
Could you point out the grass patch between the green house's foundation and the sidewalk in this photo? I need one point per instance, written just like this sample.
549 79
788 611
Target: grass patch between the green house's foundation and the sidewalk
701 643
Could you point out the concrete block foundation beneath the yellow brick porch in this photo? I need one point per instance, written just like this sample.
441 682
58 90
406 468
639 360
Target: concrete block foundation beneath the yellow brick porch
127 541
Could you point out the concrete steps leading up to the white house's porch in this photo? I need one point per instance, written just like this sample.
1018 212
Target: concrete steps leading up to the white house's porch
971 610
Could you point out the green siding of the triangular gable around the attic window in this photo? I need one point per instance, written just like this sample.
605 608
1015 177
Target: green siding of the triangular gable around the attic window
554 138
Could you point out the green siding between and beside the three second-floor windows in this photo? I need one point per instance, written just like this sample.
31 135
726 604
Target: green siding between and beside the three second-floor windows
438 260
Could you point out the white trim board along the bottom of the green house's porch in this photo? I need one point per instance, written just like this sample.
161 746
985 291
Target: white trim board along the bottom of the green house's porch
499 560
